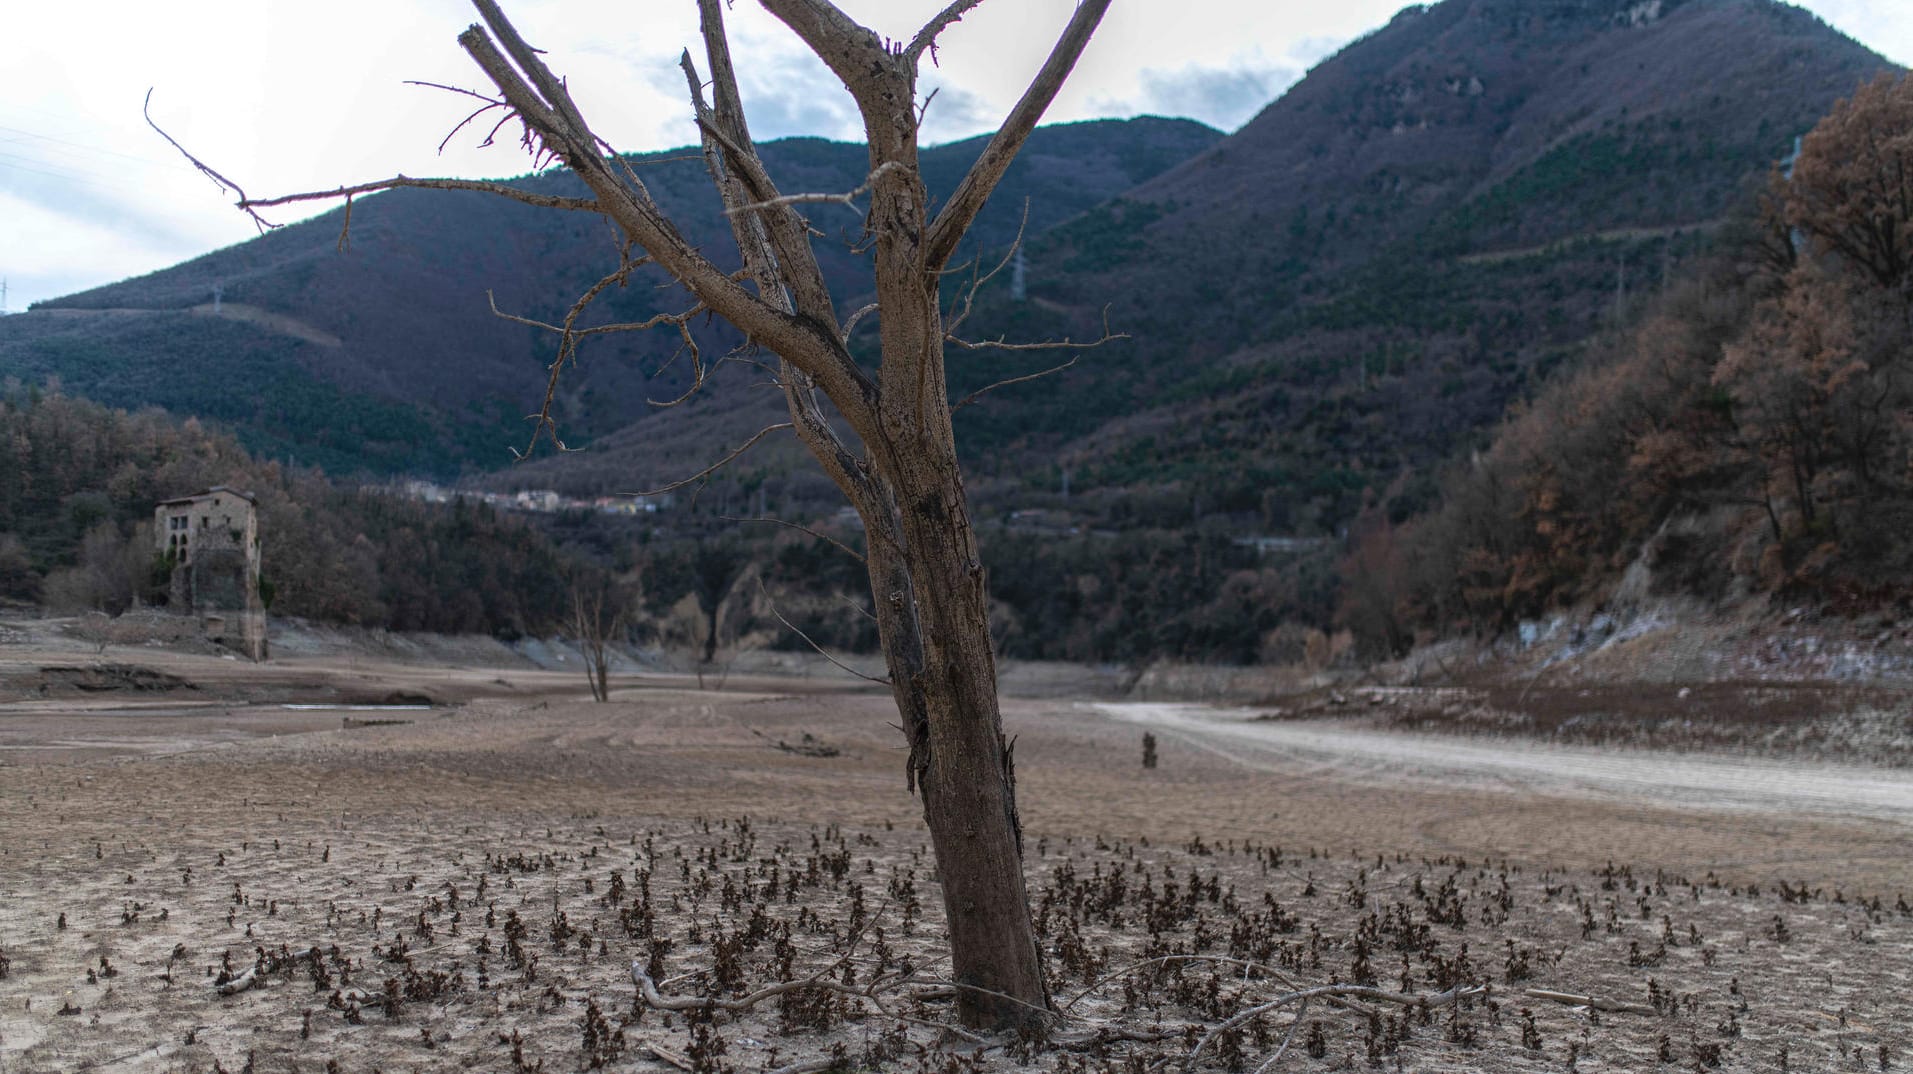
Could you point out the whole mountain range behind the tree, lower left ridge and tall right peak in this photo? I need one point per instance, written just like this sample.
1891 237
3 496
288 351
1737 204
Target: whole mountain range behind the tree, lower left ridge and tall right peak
1315 309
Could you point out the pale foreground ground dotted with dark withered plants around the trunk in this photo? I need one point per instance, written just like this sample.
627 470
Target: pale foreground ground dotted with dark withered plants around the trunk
757 947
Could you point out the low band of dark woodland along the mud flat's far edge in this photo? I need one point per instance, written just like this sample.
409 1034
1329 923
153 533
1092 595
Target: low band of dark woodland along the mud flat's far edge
79 485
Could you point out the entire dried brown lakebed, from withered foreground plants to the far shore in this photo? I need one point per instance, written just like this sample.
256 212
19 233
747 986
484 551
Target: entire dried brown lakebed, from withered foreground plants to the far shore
470 887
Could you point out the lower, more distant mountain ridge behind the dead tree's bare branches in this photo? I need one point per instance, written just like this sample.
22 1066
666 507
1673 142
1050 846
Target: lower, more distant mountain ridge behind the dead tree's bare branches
374 349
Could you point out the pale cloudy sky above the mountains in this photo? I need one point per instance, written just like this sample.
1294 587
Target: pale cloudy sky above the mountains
303 97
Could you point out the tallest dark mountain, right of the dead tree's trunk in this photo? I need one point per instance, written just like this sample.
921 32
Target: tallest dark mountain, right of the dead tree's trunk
1365 275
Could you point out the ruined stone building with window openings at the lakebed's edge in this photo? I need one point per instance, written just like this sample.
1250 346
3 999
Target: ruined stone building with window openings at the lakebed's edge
213 543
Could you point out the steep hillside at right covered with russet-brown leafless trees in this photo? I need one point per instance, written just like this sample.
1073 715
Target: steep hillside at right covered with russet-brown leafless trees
1748 436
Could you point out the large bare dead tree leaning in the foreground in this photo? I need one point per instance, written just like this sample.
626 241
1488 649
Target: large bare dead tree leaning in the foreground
927 579
